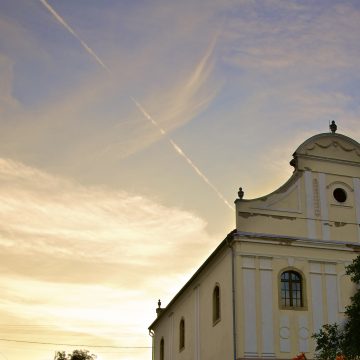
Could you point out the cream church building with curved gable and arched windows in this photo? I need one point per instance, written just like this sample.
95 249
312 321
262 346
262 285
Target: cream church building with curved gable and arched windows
280 275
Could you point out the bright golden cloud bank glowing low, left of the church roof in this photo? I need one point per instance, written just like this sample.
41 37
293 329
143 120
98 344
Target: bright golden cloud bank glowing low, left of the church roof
89 260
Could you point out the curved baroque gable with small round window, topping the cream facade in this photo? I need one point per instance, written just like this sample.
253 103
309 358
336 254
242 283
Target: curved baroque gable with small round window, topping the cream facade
321 200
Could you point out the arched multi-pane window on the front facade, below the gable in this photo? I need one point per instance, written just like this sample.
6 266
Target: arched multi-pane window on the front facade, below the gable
291 289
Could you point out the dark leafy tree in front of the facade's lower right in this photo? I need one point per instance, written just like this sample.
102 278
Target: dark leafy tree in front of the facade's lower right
333 341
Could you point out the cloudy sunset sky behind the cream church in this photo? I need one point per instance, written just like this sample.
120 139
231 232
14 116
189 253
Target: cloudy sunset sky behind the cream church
127 128
